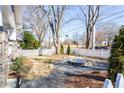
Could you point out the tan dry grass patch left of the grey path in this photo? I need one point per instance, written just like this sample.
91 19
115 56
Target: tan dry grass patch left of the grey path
41 65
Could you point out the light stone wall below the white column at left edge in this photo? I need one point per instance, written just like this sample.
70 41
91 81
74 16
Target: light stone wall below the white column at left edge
8 50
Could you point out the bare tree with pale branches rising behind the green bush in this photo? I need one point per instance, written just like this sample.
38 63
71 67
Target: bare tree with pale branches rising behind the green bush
35 20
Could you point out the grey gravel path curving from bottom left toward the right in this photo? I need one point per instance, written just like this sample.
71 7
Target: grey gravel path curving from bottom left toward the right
56 78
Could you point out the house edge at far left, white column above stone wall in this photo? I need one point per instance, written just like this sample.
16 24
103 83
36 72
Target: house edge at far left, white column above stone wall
10 20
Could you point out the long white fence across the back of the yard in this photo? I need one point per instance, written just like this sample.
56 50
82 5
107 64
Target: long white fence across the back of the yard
100 53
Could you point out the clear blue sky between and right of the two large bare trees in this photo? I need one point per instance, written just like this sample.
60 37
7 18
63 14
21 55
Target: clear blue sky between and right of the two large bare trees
113 14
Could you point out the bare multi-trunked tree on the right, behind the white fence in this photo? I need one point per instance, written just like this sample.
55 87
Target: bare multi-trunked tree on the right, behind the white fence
91 16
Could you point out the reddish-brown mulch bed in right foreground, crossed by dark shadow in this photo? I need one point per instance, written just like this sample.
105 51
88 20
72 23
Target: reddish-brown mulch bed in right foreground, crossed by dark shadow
86 79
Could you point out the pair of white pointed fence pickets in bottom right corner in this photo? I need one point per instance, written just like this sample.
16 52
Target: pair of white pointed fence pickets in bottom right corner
119 83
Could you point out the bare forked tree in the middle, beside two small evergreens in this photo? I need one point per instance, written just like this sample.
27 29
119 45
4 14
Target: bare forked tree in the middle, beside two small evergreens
55 16
